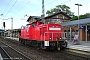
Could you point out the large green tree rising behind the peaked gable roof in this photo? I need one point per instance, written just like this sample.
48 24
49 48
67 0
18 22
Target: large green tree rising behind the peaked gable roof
62 8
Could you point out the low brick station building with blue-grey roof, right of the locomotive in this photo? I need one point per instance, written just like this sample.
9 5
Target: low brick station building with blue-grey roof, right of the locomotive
71 27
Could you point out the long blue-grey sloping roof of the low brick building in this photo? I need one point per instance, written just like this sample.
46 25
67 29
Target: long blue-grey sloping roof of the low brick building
75 22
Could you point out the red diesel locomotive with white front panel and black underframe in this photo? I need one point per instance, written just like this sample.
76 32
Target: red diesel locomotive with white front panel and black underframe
44 36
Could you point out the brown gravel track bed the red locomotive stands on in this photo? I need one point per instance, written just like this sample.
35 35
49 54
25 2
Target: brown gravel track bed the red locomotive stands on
36 54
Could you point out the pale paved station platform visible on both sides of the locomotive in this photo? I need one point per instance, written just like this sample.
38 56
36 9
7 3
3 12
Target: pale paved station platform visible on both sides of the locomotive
83 46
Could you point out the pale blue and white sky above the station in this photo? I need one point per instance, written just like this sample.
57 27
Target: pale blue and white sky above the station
17 9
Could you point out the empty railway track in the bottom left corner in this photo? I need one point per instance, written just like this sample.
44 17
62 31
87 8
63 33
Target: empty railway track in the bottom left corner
10 53
